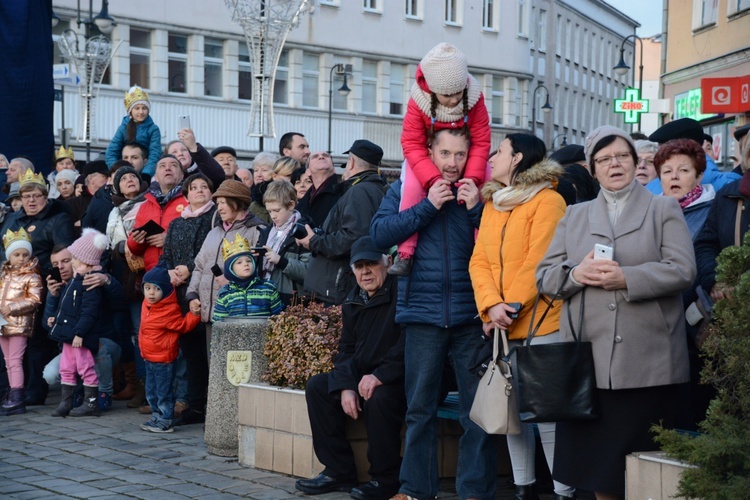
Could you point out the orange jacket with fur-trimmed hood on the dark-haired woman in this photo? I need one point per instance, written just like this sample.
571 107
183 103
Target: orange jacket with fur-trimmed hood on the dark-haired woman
510 245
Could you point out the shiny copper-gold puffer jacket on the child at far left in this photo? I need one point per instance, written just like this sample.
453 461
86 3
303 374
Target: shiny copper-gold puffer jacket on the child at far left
21 290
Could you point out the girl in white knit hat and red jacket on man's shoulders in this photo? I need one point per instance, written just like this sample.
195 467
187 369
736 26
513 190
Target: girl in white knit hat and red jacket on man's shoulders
444 96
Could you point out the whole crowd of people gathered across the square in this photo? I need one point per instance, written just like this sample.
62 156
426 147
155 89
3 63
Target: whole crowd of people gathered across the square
113 277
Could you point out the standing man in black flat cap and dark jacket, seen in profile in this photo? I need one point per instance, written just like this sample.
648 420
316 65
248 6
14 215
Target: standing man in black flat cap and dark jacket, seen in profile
329 278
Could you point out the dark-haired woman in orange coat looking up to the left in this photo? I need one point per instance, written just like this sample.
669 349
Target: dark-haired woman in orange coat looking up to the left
519 219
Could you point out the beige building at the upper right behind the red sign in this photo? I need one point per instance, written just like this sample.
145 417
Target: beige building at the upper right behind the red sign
707 39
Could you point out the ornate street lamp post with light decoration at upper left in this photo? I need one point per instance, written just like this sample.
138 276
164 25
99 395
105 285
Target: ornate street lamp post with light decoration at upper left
90 62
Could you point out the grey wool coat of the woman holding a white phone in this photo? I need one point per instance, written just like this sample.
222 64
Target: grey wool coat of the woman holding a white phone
638 333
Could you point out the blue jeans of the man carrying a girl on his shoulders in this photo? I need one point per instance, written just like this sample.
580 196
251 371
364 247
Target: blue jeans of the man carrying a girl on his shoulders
427 348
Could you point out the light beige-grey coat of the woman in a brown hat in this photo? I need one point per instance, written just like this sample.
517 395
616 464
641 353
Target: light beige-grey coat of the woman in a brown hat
202 281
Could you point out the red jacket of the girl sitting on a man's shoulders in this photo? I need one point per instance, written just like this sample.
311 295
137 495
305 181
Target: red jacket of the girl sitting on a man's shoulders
417 122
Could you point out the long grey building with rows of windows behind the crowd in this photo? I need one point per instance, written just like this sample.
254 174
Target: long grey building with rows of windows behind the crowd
193 61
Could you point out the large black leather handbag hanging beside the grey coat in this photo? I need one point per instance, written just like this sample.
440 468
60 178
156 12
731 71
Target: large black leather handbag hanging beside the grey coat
556 382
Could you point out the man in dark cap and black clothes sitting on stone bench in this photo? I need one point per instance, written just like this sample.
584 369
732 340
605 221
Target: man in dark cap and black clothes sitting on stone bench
367 381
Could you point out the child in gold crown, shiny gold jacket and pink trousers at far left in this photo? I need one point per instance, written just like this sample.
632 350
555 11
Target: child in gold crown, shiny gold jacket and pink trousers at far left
21 292
